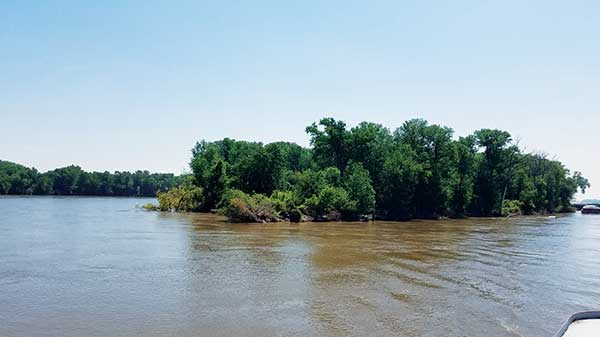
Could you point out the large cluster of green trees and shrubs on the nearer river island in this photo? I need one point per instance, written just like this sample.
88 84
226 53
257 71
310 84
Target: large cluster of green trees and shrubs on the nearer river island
417 171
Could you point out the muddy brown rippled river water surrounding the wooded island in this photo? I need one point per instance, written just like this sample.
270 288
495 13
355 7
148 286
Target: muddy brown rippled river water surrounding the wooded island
82 266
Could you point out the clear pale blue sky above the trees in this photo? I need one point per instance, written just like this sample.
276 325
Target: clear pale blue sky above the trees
117 85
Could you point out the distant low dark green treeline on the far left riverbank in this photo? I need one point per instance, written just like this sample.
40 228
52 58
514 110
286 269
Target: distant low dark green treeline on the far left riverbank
72 180
